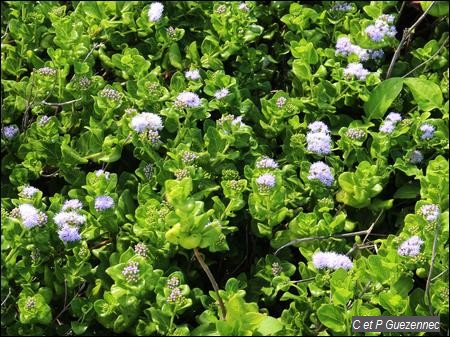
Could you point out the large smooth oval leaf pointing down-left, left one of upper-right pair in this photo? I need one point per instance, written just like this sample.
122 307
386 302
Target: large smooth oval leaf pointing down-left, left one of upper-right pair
382 97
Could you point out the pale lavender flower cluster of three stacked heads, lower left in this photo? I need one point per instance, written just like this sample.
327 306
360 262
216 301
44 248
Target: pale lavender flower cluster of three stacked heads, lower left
69 221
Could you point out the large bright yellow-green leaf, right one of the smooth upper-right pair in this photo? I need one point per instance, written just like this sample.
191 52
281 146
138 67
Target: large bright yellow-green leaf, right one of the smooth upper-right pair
427 94
